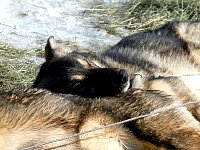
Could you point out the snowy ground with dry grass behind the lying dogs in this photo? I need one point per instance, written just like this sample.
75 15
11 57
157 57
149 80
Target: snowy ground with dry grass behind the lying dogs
94 25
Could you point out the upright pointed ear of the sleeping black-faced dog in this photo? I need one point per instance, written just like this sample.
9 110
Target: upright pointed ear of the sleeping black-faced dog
53 49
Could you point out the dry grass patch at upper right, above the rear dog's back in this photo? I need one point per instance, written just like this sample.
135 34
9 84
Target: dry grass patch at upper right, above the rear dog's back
140 15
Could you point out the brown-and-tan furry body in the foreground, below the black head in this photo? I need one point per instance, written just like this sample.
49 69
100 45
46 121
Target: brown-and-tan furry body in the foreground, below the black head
31 117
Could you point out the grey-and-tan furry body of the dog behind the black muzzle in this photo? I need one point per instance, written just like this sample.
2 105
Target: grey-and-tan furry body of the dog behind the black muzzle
171 49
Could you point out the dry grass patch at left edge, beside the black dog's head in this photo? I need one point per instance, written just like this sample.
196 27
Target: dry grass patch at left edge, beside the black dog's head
17 69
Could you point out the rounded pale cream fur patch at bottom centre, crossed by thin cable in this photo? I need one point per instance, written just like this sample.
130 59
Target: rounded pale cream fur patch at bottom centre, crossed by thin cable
117 137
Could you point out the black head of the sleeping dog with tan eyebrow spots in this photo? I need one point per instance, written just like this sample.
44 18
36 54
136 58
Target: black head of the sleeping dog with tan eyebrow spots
73 73
